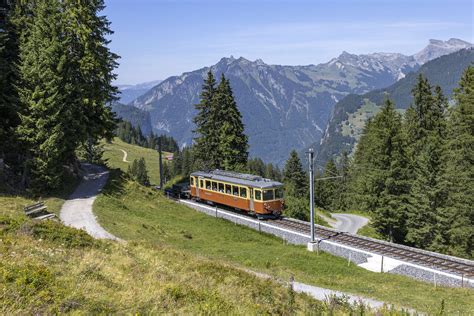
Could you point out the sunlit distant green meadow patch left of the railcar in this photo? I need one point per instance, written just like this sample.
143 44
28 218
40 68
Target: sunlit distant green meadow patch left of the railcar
114 156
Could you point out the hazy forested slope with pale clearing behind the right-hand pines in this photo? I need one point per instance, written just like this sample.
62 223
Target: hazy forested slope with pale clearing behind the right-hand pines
351 113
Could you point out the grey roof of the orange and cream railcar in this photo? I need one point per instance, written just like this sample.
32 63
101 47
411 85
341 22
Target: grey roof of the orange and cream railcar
238 178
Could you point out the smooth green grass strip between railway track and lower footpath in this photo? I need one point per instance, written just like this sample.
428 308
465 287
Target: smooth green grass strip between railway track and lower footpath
136 213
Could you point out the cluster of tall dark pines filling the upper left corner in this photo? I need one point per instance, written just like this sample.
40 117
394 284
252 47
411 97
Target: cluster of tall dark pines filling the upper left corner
55 91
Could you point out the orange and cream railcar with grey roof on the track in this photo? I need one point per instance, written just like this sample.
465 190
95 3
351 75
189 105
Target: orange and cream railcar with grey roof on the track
250 193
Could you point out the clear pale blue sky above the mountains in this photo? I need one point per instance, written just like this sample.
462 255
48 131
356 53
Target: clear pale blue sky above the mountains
160 38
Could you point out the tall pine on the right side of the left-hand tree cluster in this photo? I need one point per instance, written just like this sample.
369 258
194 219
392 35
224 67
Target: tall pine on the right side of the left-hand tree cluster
91 73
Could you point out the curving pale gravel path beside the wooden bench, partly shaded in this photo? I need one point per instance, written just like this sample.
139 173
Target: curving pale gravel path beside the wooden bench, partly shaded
77 210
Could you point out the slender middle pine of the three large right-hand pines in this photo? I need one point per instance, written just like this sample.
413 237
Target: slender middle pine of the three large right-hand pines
426 128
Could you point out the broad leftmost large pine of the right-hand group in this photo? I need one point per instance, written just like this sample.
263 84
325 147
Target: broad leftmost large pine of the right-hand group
379 174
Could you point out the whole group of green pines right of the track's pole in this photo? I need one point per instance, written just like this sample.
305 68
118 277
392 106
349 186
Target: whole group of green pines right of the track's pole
414 173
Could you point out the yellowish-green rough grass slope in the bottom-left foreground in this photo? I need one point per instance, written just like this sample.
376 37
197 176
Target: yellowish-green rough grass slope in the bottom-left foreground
47 268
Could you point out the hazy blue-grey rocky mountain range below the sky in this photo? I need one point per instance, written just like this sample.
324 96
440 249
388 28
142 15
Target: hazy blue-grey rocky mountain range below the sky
283 107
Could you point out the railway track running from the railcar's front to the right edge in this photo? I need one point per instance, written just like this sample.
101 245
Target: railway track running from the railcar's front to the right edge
440 262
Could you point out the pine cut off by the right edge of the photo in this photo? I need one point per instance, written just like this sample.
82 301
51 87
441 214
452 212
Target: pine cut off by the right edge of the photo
459 173
